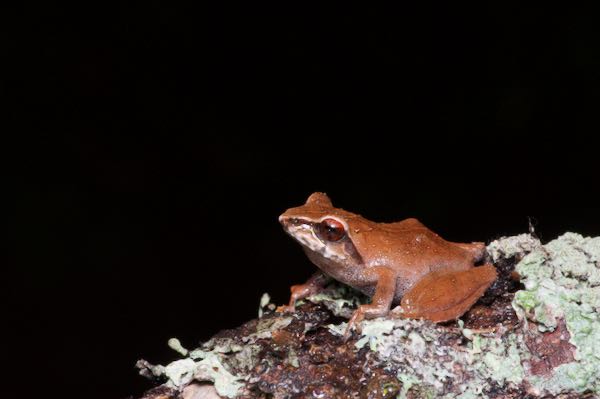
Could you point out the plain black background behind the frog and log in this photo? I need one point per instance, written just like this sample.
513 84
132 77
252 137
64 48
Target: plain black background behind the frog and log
162 140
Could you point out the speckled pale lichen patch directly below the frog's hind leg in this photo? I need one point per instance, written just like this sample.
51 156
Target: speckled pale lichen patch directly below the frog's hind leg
436 366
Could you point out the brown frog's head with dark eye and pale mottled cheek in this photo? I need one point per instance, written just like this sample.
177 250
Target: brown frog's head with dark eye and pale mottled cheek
323 231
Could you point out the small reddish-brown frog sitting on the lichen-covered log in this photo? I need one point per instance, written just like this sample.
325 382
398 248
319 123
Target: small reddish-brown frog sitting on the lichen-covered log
402 262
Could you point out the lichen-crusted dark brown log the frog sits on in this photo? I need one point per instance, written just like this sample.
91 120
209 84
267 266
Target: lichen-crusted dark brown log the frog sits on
533 338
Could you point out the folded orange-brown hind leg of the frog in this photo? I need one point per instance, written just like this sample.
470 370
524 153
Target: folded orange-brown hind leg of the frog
442 296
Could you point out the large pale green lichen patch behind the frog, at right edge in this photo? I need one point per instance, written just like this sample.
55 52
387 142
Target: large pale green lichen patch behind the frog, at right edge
562 282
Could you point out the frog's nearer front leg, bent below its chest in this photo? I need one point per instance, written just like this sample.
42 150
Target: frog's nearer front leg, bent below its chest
381 301
